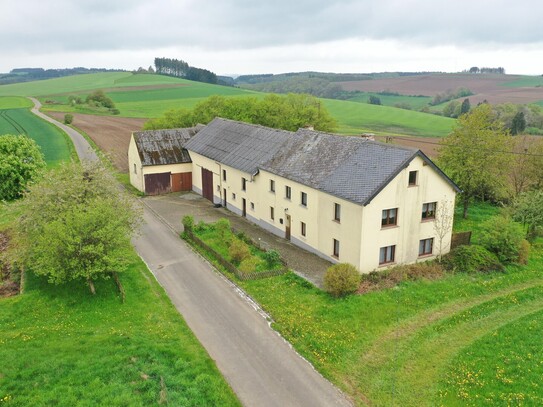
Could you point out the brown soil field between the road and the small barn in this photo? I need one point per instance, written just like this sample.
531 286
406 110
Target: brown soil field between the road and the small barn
111 134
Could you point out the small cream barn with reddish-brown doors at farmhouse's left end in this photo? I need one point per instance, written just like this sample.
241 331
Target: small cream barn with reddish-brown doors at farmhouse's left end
159 162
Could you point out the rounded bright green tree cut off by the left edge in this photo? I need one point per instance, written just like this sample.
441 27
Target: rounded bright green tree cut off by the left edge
21 162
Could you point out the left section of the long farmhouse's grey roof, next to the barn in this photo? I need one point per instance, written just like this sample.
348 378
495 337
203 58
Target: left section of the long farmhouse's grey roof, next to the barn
239 145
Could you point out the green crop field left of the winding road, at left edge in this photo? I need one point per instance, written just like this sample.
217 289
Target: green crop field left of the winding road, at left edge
53 143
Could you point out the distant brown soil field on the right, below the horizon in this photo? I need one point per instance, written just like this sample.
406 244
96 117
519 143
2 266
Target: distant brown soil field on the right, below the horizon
483 86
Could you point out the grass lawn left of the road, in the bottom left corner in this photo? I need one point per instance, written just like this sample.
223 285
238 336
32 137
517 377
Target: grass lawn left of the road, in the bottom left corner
59 345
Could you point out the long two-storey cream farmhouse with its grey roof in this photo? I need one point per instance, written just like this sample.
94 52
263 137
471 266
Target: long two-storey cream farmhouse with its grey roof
347 199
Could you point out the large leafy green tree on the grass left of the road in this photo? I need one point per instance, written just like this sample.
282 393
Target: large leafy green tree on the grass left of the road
76 225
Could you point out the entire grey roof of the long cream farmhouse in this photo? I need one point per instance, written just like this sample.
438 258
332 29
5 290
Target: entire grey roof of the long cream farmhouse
351 168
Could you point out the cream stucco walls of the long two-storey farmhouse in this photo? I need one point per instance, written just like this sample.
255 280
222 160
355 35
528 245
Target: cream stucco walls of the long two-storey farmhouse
359 230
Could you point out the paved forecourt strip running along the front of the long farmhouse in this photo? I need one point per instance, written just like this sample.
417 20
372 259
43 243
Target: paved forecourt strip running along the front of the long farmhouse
173 207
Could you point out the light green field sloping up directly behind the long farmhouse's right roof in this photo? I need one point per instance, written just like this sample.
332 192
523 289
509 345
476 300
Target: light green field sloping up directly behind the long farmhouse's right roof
355 117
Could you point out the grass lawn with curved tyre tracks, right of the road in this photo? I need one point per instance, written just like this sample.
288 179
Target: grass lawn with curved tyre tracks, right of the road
417 344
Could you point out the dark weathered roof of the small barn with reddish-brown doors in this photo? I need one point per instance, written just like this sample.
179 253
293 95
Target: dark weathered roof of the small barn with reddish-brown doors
159 147
